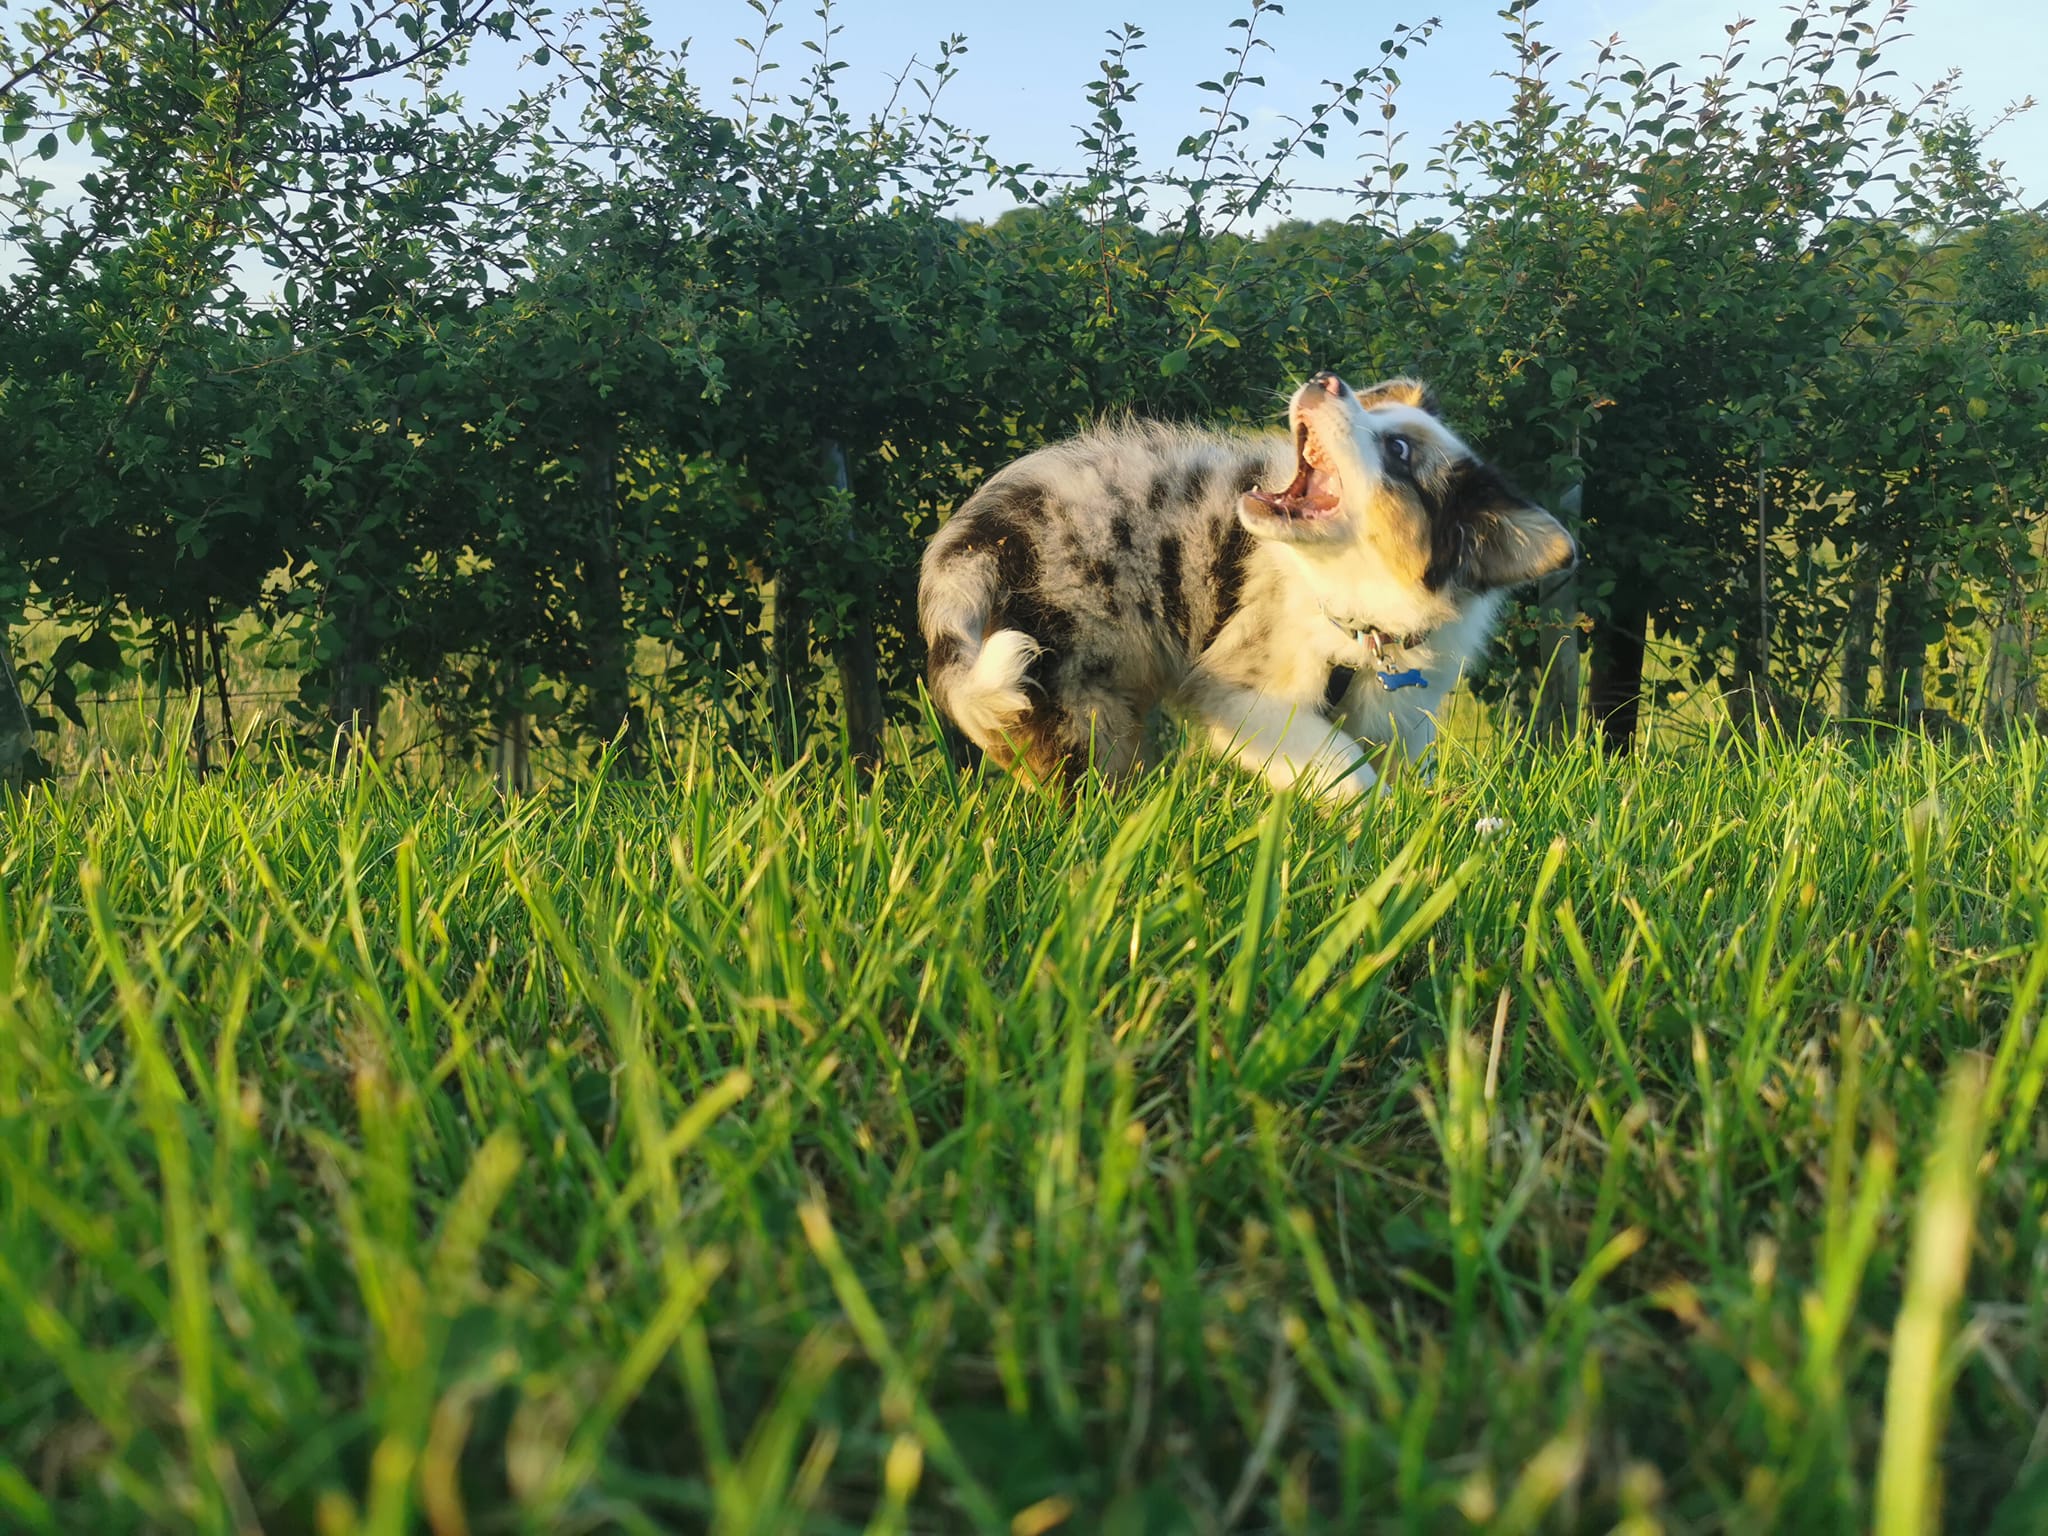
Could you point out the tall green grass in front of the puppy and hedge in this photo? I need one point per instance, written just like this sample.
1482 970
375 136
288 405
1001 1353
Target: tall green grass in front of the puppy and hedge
790 1156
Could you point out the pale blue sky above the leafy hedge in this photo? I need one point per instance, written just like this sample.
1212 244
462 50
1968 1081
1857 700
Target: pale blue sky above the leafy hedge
1027 65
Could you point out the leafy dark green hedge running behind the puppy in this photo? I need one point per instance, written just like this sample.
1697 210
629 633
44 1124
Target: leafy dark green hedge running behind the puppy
622 396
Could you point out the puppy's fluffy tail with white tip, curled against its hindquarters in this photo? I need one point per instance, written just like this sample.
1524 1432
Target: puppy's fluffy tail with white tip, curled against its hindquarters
978 679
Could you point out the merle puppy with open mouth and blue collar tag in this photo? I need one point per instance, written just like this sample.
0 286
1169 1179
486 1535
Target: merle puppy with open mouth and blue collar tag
1306 601
